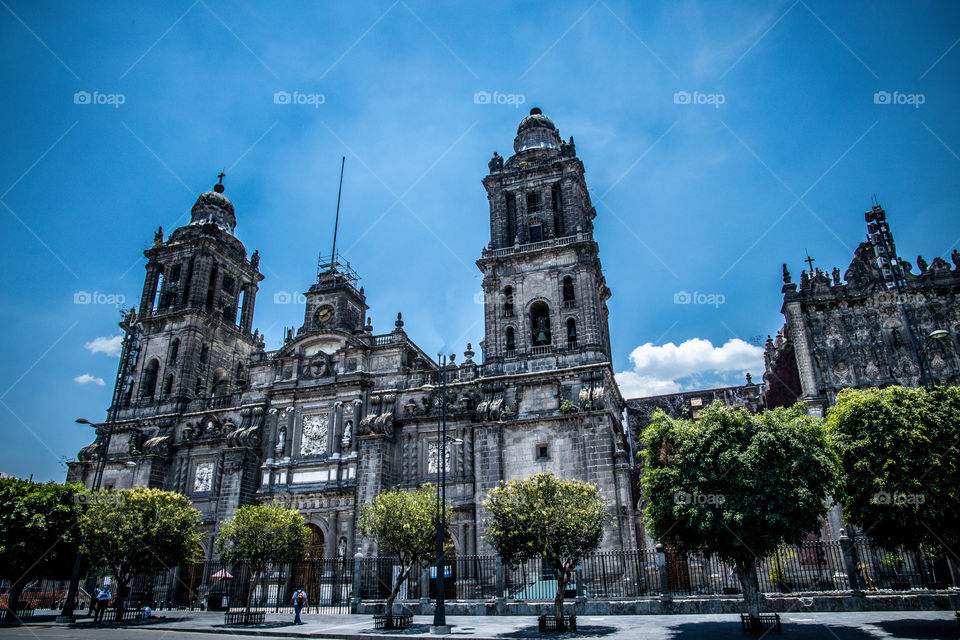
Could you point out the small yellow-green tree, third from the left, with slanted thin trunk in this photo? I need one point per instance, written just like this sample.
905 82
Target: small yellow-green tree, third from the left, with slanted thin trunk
260 535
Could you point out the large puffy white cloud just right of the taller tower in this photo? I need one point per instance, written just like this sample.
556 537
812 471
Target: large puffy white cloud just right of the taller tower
659 369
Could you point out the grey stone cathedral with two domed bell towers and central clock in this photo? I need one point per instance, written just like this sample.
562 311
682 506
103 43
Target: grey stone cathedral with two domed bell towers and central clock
338 413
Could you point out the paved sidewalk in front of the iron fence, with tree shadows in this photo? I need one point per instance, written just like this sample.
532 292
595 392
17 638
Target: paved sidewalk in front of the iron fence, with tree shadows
806 626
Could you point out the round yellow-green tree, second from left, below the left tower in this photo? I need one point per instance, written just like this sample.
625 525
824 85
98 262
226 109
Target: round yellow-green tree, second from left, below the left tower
139 530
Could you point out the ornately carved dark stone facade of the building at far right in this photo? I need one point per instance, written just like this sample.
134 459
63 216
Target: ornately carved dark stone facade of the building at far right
869 329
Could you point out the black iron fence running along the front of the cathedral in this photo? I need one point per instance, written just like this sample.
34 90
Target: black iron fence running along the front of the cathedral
333 584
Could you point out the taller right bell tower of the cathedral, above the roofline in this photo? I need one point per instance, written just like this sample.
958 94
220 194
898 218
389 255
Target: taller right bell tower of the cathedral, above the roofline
544 291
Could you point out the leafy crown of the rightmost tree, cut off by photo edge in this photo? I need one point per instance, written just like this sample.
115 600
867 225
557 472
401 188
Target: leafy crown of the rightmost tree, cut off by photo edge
900 464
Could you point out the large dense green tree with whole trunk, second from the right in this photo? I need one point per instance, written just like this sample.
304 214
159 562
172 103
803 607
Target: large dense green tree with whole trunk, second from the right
736 484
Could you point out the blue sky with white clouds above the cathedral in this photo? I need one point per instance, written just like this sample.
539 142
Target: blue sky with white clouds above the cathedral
779 150
